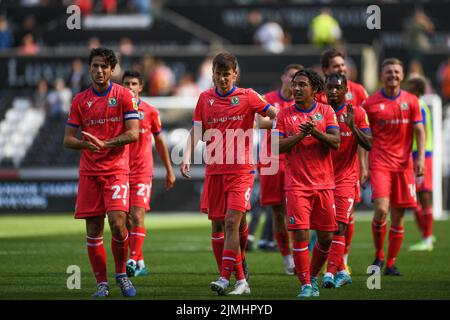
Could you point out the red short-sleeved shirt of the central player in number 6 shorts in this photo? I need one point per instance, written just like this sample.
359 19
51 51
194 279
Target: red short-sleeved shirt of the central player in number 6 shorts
228 122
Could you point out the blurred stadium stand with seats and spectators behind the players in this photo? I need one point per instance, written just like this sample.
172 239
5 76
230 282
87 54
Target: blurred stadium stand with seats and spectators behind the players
177 41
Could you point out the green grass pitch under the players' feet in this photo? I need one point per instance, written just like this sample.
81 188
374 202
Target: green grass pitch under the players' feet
36 250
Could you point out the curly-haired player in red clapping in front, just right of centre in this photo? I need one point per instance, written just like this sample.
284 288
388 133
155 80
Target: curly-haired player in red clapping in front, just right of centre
308 132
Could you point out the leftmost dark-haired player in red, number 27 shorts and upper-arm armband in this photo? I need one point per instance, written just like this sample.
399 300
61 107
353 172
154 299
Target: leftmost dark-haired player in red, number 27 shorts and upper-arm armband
107 115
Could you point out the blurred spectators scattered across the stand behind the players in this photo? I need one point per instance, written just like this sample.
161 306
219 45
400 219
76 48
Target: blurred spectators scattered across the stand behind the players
164 79
